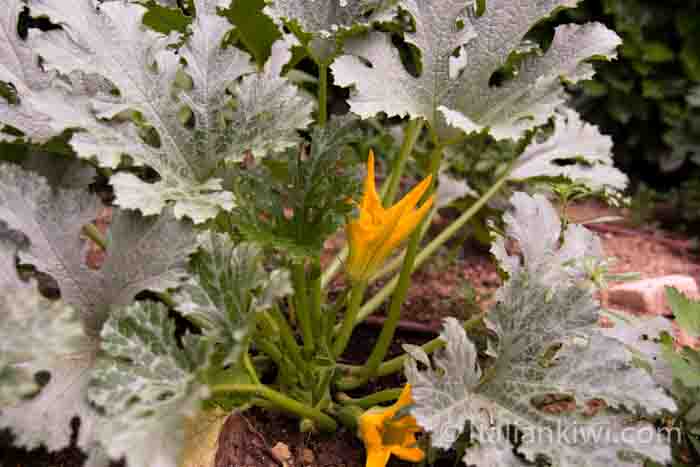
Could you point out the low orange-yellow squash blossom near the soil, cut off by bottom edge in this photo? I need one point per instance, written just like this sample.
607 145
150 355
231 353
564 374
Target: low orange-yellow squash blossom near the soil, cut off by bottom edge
384 436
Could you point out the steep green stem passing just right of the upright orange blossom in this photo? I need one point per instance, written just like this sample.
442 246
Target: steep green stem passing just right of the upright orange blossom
389 328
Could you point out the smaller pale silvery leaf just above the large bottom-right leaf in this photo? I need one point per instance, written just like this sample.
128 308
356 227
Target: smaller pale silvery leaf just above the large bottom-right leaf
535 225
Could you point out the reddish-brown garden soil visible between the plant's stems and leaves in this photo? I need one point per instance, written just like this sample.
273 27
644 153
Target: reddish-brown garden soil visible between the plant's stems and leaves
445 287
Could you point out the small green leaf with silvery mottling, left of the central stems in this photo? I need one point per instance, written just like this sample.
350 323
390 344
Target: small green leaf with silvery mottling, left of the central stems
229 286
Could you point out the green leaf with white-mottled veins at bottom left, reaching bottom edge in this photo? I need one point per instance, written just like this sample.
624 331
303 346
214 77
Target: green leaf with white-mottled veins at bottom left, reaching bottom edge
147 385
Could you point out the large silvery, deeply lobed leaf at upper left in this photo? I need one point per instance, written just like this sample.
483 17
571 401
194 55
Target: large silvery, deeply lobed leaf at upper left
111 41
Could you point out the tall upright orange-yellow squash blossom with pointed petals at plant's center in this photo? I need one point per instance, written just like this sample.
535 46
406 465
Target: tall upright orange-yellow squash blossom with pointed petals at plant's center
377 231
